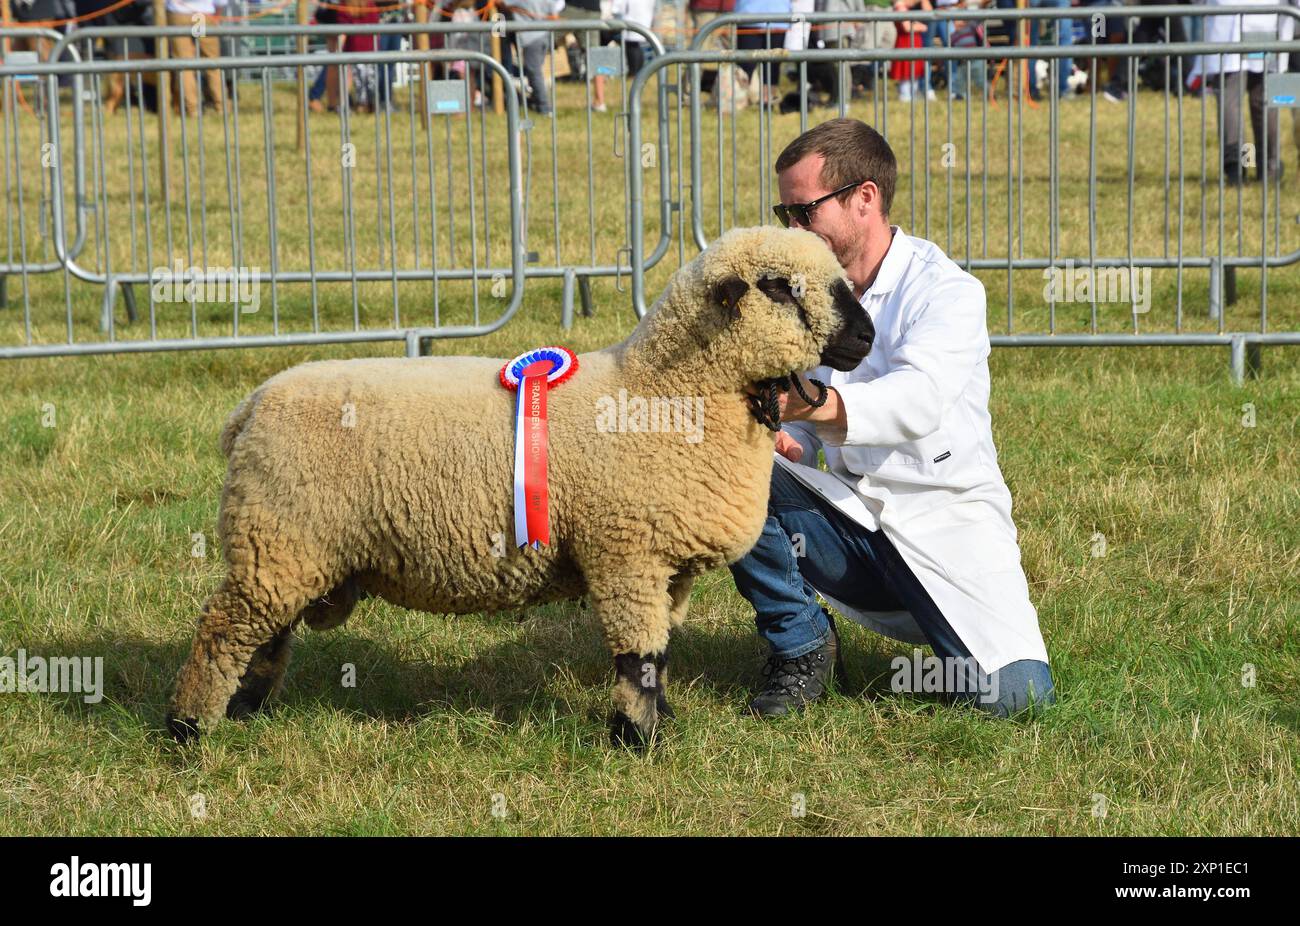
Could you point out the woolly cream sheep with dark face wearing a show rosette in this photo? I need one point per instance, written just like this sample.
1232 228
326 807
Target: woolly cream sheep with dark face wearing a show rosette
393 478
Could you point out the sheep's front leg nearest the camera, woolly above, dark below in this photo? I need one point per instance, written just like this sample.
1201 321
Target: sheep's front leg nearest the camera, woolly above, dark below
634 612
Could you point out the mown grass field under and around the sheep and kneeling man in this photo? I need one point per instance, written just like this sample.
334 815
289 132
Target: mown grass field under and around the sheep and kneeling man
1176 654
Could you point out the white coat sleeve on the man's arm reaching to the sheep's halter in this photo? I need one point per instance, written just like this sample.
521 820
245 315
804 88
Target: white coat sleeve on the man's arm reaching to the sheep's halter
928 374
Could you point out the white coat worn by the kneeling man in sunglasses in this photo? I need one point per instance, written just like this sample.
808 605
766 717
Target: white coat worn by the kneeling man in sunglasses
918 460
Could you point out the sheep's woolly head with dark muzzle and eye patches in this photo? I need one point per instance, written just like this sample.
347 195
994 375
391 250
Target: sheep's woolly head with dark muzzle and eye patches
785 301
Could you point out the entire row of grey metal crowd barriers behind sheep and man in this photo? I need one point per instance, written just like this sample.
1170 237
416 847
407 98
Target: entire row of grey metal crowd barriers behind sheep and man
454 241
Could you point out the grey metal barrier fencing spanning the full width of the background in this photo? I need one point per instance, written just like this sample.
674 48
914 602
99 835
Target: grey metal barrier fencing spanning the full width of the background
431 217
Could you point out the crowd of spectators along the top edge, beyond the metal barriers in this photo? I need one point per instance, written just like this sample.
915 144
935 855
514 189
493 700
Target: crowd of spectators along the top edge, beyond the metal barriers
527 53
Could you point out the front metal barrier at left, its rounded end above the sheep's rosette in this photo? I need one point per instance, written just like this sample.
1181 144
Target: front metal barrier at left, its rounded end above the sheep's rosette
151 235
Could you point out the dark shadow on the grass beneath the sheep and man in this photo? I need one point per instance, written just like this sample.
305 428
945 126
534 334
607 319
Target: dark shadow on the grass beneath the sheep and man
505 667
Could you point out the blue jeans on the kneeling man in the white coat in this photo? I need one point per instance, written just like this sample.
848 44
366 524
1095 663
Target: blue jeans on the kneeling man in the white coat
863 569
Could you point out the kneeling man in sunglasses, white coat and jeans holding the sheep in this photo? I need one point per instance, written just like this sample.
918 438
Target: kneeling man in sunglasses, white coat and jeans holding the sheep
911 533
